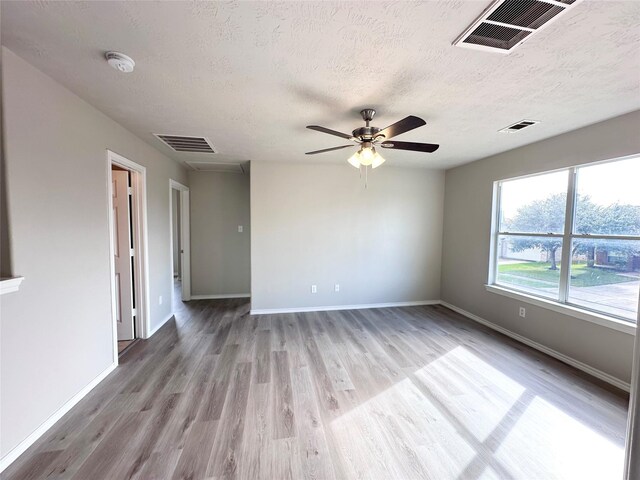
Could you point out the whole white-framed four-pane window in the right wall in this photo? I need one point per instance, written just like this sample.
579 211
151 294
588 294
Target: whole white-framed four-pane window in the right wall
572 236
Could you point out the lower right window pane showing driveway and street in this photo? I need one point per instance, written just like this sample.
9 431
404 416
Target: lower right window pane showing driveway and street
605 276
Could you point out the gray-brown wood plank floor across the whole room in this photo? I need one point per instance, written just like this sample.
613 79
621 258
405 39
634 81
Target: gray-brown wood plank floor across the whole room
397 393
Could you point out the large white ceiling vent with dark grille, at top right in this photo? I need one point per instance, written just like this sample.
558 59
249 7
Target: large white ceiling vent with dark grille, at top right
508 23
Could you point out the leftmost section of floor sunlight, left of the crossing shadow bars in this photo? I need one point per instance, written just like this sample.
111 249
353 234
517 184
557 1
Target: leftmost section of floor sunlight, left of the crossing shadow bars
406 434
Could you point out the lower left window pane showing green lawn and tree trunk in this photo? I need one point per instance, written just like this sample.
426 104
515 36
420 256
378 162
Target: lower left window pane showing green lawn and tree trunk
531 264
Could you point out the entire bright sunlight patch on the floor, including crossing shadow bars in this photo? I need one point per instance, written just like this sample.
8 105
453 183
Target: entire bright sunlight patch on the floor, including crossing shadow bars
460 417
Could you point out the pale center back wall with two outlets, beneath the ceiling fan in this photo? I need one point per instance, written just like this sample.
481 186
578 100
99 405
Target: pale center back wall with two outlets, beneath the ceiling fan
317 224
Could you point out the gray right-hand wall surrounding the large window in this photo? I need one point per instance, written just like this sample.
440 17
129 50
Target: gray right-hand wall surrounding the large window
467 228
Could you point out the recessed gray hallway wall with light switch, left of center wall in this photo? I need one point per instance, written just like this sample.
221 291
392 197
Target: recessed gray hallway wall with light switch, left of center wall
220 255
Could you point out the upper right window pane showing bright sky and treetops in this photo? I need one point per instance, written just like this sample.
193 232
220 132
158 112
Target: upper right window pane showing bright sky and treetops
608 199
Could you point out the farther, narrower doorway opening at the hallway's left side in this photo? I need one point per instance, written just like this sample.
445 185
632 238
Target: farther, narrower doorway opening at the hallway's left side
180 243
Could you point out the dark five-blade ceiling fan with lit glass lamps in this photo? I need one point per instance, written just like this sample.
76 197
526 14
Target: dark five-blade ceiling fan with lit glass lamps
369 137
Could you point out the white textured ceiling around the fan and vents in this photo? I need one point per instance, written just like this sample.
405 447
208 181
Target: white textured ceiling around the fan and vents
250 75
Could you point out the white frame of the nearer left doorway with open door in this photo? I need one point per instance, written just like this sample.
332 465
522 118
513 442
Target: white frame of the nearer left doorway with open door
140 245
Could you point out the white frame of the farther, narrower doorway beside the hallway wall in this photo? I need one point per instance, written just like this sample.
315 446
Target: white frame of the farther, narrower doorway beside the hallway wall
185 243
